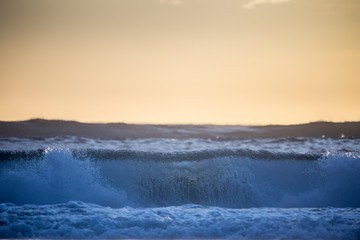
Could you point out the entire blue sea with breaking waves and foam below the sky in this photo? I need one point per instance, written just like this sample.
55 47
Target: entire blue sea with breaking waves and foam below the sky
197 182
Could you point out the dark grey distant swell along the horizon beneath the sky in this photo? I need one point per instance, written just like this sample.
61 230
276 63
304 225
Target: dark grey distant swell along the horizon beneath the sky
52 128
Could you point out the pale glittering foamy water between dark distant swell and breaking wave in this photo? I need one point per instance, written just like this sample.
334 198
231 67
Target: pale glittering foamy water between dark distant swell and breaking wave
298 145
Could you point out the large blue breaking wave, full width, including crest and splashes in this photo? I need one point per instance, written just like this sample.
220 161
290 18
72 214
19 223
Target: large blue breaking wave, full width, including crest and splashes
233 178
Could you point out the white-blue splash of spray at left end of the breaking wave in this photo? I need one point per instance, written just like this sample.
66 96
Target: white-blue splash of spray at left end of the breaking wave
56 178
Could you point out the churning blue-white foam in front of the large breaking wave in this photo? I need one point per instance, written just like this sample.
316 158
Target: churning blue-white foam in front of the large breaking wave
80 220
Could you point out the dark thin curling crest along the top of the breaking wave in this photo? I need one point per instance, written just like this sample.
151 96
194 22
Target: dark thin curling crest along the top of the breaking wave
105 154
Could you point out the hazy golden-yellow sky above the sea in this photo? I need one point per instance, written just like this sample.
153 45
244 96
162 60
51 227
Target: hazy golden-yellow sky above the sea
251 62
